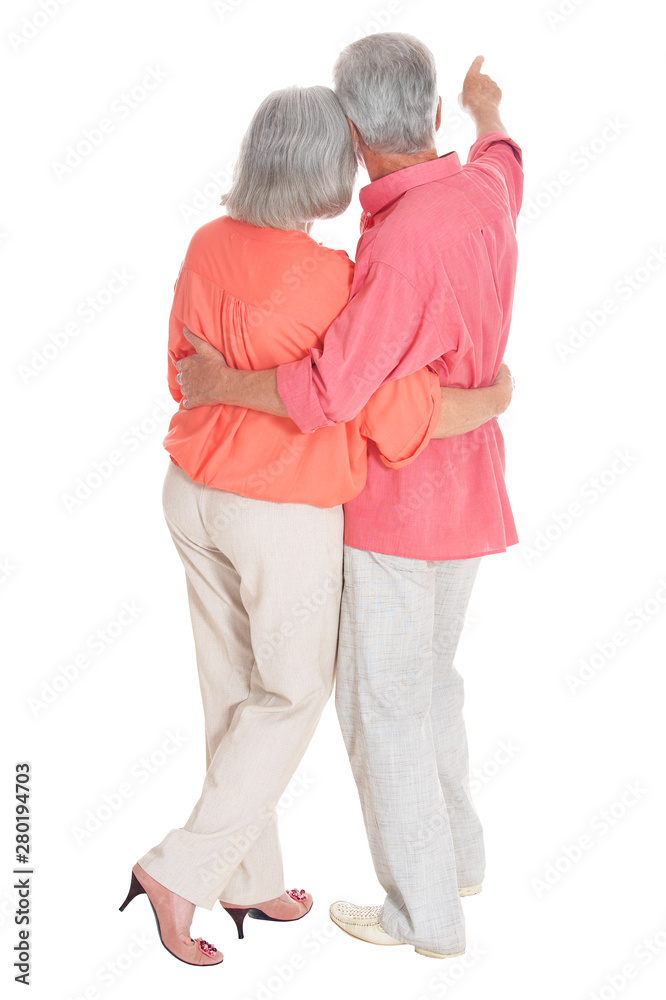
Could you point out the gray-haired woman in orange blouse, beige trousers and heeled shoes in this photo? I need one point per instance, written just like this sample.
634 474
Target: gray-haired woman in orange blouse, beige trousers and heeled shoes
254 509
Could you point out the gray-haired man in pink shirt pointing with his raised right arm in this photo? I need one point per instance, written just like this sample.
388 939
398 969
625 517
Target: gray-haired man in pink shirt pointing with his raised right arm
434 279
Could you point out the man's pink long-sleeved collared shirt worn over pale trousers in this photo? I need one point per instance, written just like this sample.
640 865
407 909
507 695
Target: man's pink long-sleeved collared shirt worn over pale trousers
433 284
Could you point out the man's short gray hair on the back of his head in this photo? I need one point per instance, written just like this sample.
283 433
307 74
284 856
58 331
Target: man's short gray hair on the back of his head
387 85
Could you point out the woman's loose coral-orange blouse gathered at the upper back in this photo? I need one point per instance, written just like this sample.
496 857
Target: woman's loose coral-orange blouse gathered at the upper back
264 297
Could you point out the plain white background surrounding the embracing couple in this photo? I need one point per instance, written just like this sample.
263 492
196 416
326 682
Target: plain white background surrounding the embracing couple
537 612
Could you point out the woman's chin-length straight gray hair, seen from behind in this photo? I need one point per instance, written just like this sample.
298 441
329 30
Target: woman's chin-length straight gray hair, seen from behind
296 161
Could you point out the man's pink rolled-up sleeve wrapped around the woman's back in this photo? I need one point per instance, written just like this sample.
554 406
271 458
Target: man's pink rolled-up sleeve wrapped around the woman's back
385 332
